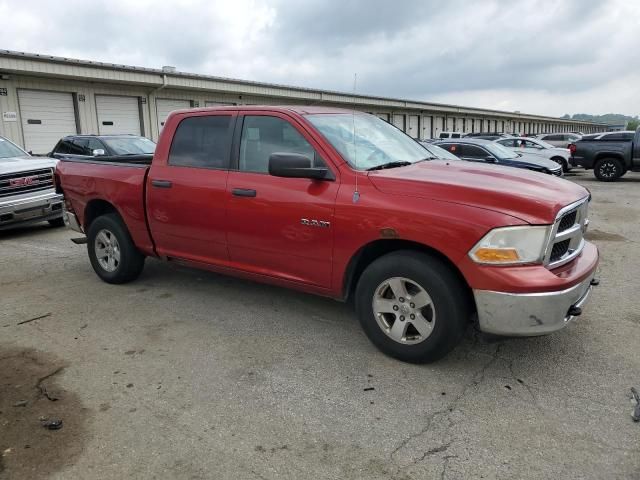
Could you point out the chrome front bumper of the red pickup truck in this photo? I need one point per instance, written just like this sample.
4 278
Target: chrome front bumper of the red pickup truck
530 314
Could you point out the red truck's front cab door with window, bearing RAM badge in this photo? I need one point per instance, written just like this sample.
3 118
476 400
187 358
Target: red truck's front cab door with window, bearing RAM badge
279 227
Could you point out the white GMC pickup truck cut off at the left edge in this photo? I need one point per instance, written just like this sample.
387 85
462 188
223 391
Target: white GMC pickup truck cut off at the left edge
27 191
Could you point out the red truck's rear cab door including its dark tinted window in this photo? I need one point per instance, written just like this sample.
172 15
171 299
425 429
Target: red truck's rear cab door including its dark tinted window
186 188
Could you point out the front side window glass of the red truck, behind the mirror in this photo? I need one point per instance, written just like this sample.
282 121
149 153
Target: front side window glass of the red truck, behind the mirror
262 136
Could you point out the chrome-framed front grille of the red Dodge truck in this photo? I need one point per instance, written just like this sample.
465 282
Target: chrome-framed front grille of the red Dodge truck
567 235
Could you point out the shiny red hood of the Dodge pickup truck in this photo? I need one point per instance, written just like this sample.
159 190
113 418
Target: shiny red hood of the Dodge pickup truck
532 197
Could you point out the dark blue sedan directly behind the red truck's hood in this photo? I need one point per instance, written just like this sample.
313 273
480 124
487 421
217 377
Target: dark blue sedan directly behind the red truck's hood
486 151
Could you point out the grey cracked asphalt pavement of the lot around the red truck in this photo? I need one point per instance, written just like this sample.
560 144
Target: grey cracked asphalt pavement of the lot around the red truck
185 374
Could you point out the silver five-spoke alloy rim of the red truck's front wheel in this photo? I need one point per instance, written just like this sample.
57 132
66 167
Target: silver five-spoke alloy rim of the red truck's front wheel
404 310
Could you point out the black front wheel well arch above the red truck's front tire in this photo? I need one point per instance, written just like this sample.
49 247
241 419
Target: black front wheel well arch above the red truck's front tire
376 249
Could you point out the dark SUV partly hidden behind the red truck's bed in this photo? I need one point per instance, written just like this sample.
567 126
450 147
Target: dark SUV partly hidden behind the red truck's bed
102 145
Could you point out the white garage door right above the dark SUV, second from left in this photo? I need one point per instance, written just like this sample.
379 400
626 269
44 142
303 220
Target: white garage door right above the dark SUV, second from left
118 115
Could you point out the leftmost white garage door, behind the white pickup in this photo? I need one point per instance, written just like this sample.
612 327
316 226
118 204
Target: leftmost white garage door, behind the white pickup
46 117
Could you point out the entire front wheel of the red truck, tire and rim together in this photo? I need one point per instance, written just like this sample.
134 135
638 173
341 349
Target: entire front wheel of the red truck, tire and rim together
412 306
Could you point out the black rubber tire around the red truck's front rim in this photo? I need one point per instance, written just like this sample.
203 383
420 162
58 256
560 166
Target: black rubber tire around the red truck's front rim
449 302
